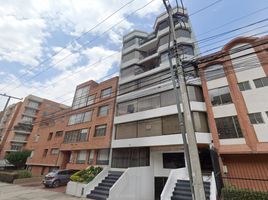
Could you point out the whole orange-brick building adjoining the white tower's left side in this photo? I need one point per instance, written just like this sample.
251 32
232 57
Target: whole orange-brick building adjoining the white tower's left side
77 137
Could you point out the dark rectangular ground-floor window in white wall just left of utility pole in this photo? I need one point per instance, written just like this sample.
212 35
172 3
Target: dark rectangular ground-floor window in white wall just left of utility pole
173 160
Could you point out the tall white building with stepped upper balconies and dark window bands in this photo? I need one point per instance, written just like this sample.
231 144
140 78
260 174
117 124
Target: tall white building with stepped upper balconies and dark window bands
146 129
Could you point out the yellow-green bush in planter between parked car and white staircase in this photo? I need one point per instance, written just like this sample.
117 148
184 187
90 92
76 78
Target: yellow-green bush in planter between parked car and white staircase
86 175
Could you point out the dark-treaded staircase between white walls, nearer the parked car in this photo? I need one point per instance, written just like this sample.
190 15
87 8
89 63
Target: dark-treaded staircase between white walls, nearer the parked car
101 192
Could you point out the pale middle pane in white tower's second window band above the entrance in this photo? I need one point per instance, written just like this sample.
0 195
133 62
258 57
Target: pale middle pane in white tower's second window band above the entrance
150 102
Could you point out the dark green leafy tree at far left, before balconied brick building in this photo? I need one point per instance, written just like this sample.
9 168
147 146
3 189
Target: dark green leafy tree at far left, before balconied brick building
18 159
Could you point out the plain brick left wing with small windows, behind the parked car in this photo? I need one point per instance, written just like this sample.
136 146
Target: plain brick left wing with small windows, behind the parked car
46 137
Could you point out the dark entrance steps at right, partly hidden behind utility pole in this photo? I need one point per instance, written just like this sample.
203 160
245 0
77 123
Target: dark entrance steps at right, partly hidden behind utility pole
182 190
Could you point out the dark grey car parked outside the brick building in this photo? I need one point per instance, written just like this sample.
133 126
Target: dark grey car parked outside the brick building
57 178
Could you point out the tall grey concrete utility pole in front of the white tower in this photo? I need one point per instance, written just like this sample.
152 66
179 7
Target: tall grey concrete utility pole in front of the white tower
198 187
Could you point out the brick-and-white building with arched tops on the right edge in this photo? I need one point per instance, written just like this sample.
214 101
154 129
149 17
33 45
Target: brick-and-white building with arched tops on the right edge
234 82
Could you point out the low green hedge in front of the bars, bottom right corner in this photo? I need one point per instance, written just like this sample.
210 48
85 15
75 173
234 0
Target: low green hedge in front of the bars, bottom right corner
234 193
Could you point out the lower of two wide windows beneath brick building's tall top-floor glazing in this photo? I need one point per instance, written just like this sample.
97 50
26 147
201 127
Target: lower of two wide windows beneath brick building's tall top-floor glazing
76 136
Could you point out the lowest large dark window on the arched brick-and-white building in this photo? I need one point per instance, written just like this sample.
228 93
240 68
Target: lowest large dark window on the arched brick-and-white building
228 127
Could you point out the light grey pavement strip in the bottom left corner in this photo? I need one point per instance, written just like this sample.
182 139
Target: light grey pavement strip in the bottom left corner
19 192
